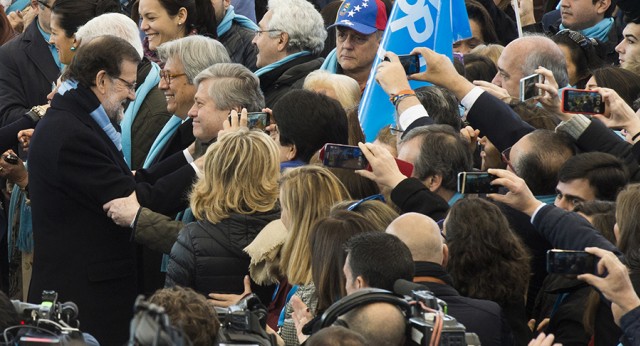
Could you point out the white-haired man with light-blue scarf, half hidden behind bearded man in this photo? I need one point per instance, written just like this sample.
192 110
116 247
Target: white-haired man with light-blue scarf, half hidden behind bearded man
145 116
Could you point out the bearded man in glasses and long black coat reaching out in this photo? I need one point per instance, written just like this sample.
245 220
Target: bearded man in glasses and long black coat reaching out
76 165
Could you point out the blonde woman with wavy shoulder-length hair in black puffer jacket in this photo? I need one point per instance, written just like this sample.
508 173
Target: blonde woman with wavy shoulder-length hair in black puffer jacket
234 200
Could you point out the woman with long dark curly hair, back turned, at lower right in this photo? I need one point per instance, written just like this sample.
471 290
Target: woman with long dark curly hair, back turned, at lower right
488 261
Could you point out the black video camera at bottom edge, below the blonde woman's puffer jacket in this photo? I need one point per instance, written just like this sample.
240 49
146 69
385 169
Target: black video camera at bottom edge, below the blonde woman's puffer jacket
245 323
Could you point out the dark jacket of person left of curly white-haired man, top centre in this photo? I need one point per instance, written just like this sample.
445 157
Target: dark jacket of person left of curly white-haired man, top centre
238 43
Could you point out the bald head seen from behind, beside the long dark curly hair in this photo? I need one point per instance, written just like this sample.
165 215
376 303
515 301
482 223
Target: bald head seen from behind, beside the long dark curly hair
421 234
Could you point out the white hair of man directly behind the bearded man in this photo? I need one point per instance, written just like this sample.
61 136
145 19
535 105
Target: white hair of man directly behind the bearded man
114 24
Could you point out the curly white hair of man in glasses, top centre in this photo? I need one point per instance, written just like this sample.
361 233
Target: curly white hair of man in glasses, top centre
301 21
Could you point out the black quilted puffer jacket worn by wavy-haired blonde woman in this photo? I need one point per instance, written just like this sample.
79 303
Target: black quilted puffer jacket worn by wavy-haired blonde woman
209 258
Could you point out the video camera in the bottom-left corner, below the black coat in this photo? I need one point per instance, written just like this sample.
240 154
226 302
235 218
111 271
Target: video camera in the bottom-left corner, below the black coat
48 323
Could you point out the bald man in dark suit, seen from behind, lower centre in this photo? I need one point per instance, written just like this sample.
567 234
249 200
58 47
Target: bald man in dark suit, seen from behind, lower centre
422 235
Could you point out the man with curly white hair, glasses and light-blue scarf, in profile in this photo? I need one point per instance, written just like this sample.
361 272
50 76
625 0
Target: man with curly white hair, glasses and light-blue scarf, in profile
290 38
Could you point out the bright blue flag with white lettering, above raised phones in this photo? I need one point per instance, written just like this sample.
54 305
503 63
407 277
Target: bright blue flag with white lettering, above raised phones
434 24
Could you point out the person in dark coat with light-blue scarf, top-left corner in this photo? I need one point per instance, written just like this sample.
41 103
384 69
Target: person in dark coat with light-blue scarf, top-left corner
29 66
